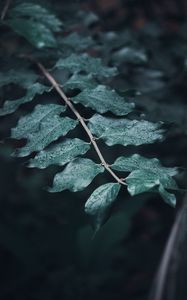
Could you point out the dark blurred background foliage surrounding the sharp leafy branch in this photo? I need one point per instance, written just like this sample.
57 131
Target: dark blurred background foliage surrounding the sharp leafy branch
47 249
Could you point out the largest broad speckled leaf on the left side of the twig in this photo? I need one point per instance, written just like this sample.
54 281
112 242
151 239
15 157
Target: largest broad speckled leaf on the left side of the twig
41 127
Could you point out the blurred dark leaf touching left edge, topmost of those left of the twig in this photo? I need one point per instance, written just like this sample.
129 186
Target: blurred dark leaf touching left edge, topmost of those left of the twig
22 77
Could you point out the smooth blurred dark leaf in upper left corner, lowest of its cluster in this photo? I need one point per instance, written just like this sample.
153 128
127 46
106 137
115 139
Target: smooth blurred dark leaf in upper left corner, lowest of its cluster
36 33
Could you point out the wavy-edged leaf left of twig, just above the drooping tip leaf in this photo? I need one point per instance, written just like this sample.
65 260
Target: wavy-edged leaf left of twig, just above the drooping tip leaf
77 175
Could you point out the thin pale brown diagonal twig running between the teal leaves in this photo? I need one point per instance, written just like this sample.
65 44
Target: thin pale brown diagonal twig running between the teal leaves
81 120
